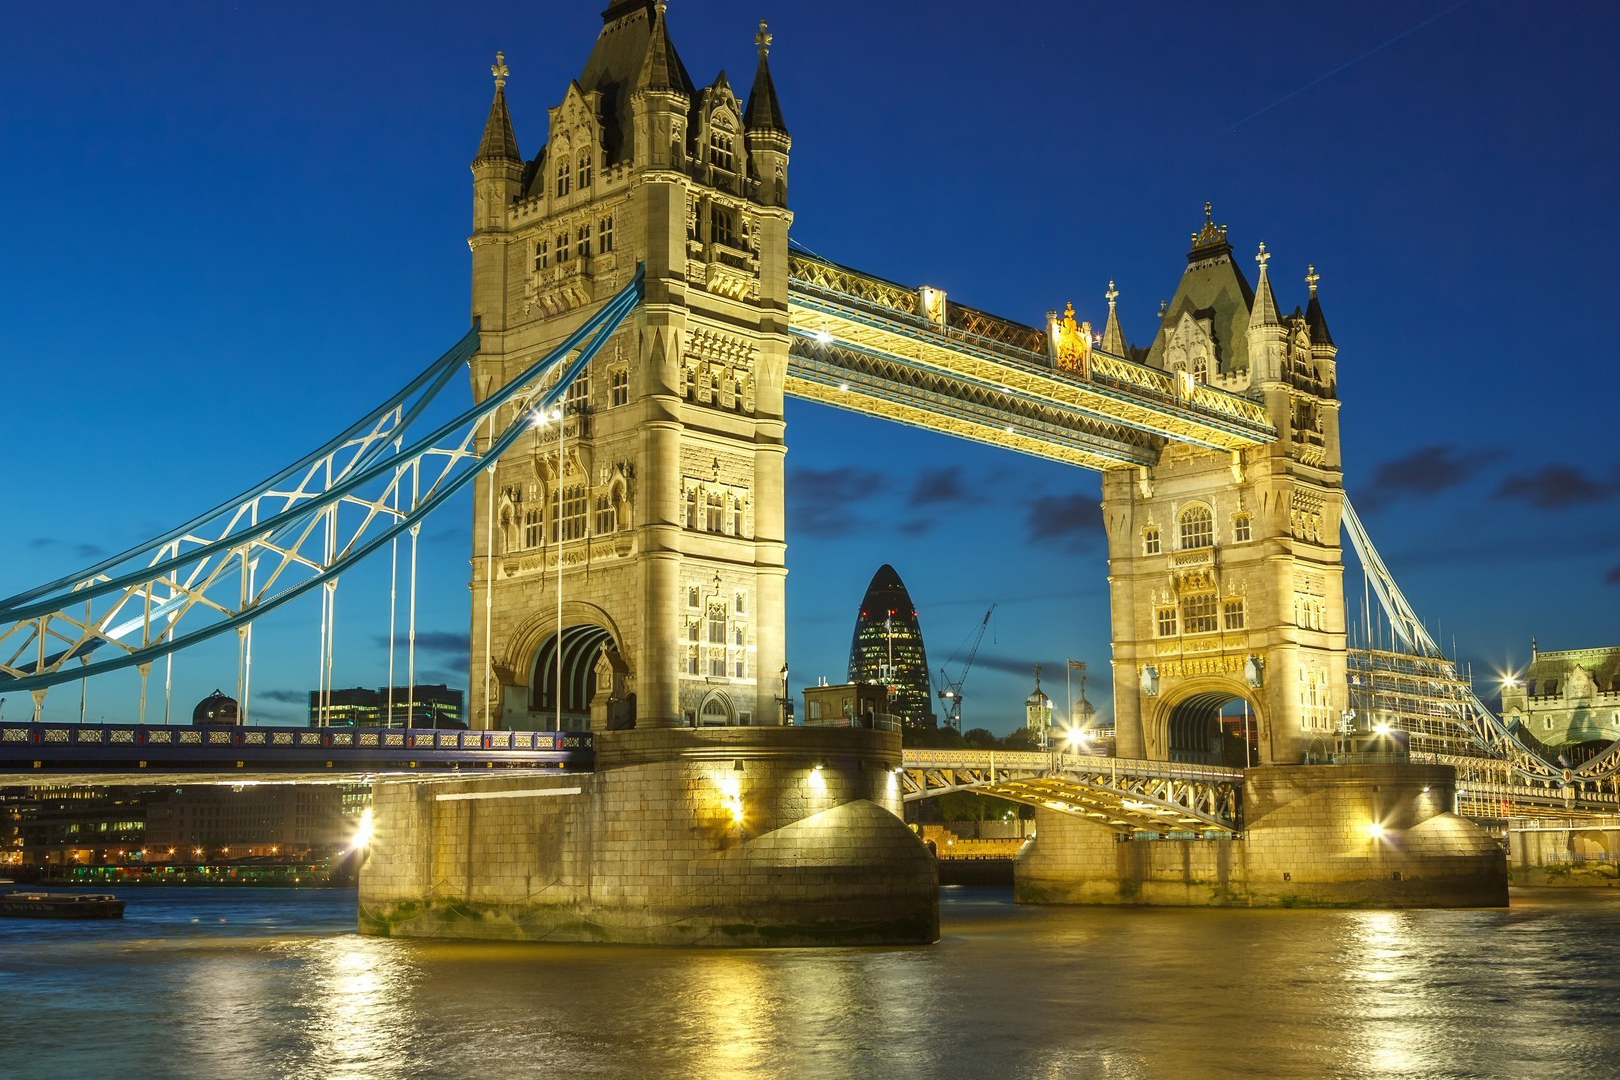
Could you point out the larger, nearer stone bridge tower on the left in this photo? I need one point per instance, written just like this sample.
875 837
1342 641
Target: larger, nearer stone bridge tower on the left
662 516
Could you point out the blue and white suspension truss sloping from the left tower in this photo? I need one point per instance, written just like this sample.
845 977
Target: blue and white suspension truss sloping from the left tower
294 534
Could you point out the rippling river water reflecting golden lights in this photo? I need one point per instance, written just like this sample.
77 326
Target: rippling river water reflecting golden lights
276 984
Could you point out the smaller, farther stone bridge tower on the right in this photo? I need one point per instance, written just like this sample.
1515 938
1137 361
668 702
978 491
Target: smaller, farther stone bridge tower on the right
1226 568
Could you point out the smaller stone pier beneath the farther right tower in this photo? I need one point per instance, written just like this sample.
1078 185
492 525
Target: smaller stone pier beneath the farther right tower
1315 836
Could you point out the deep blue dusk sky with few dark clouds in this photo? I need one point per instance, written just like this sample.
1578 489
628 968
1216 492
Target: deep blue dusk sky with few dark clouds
234 229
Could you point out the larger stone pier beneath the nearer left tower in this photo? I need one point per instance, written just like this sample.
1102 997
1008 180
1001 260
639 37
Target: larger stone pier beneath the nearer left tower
743 836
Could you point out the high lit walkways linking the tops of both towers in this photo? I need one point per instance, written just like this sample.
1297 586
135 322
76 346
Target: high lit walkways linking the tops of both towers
911 357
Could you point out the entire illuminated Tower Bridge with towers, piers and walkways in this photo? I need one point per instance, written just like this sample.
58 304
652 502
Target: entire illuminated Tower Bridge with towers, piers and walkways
639 321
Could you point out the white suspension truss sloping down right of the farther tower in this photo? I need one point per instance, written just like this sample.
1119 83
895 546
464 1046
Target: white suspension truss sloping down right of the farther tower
1499 754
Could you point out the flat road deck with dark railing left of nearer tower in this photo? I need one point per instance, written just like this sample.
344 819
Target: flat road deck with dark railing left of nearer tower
163 754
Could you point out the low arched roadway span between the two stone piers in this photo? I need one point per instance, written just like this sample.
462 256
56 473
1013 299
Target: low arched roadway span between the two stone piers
1123 794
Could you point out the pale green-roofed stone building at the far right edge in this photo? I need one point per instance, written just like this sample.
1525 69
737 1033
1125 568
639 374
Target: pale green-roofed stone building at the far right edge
1567 697
